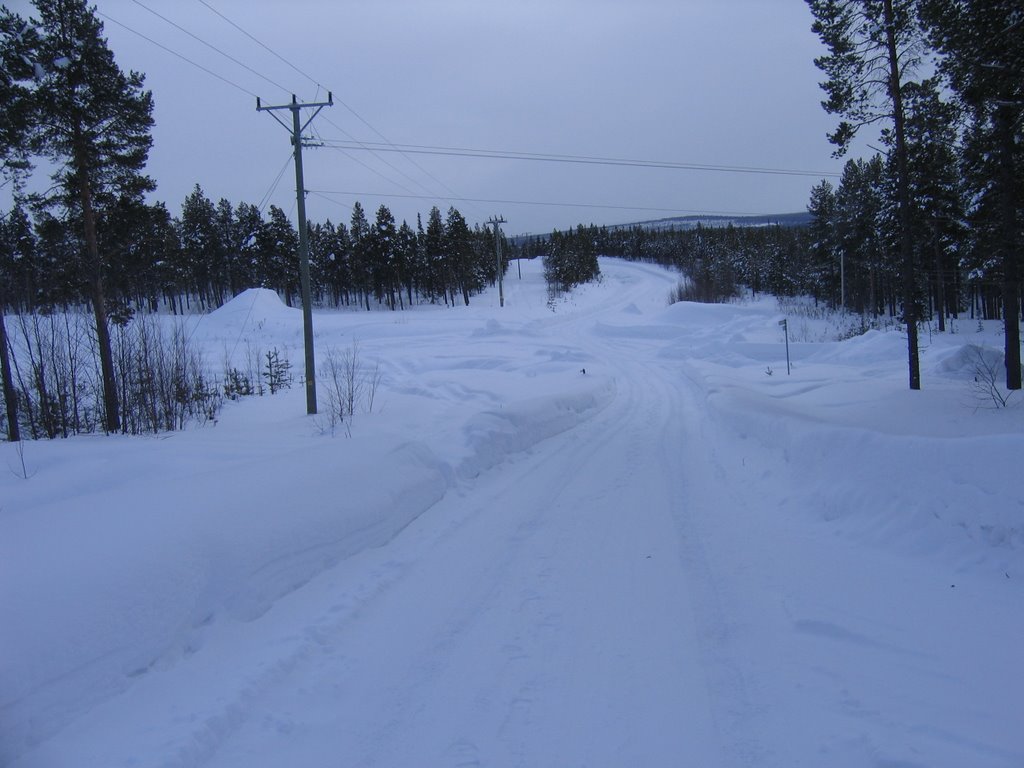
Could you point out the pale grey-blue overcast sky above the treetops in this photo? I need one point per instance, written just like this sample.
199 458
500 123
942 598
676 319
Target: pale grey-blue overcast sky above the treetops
713 82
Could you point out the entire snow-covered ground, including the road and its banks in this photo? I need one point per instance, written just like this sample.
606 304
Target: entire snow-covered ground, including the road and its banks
602 533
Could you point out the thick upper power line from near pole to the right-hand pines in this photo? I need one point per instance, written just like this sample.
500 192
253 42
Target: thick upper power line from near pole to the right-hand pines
575 159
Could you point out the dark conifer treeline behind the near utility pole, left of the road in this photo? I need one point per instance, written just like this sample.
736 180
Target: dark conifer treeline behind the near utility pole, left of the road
211 252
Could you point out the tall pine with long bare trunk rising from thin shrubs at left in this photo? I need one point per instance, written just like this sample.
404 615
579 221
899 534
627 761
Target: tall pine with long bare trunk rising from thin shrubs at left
95 126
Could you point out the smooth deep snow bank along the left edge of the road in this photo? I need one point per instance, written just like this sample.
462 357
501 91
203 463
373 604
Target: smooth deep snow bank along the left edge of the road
131 576
